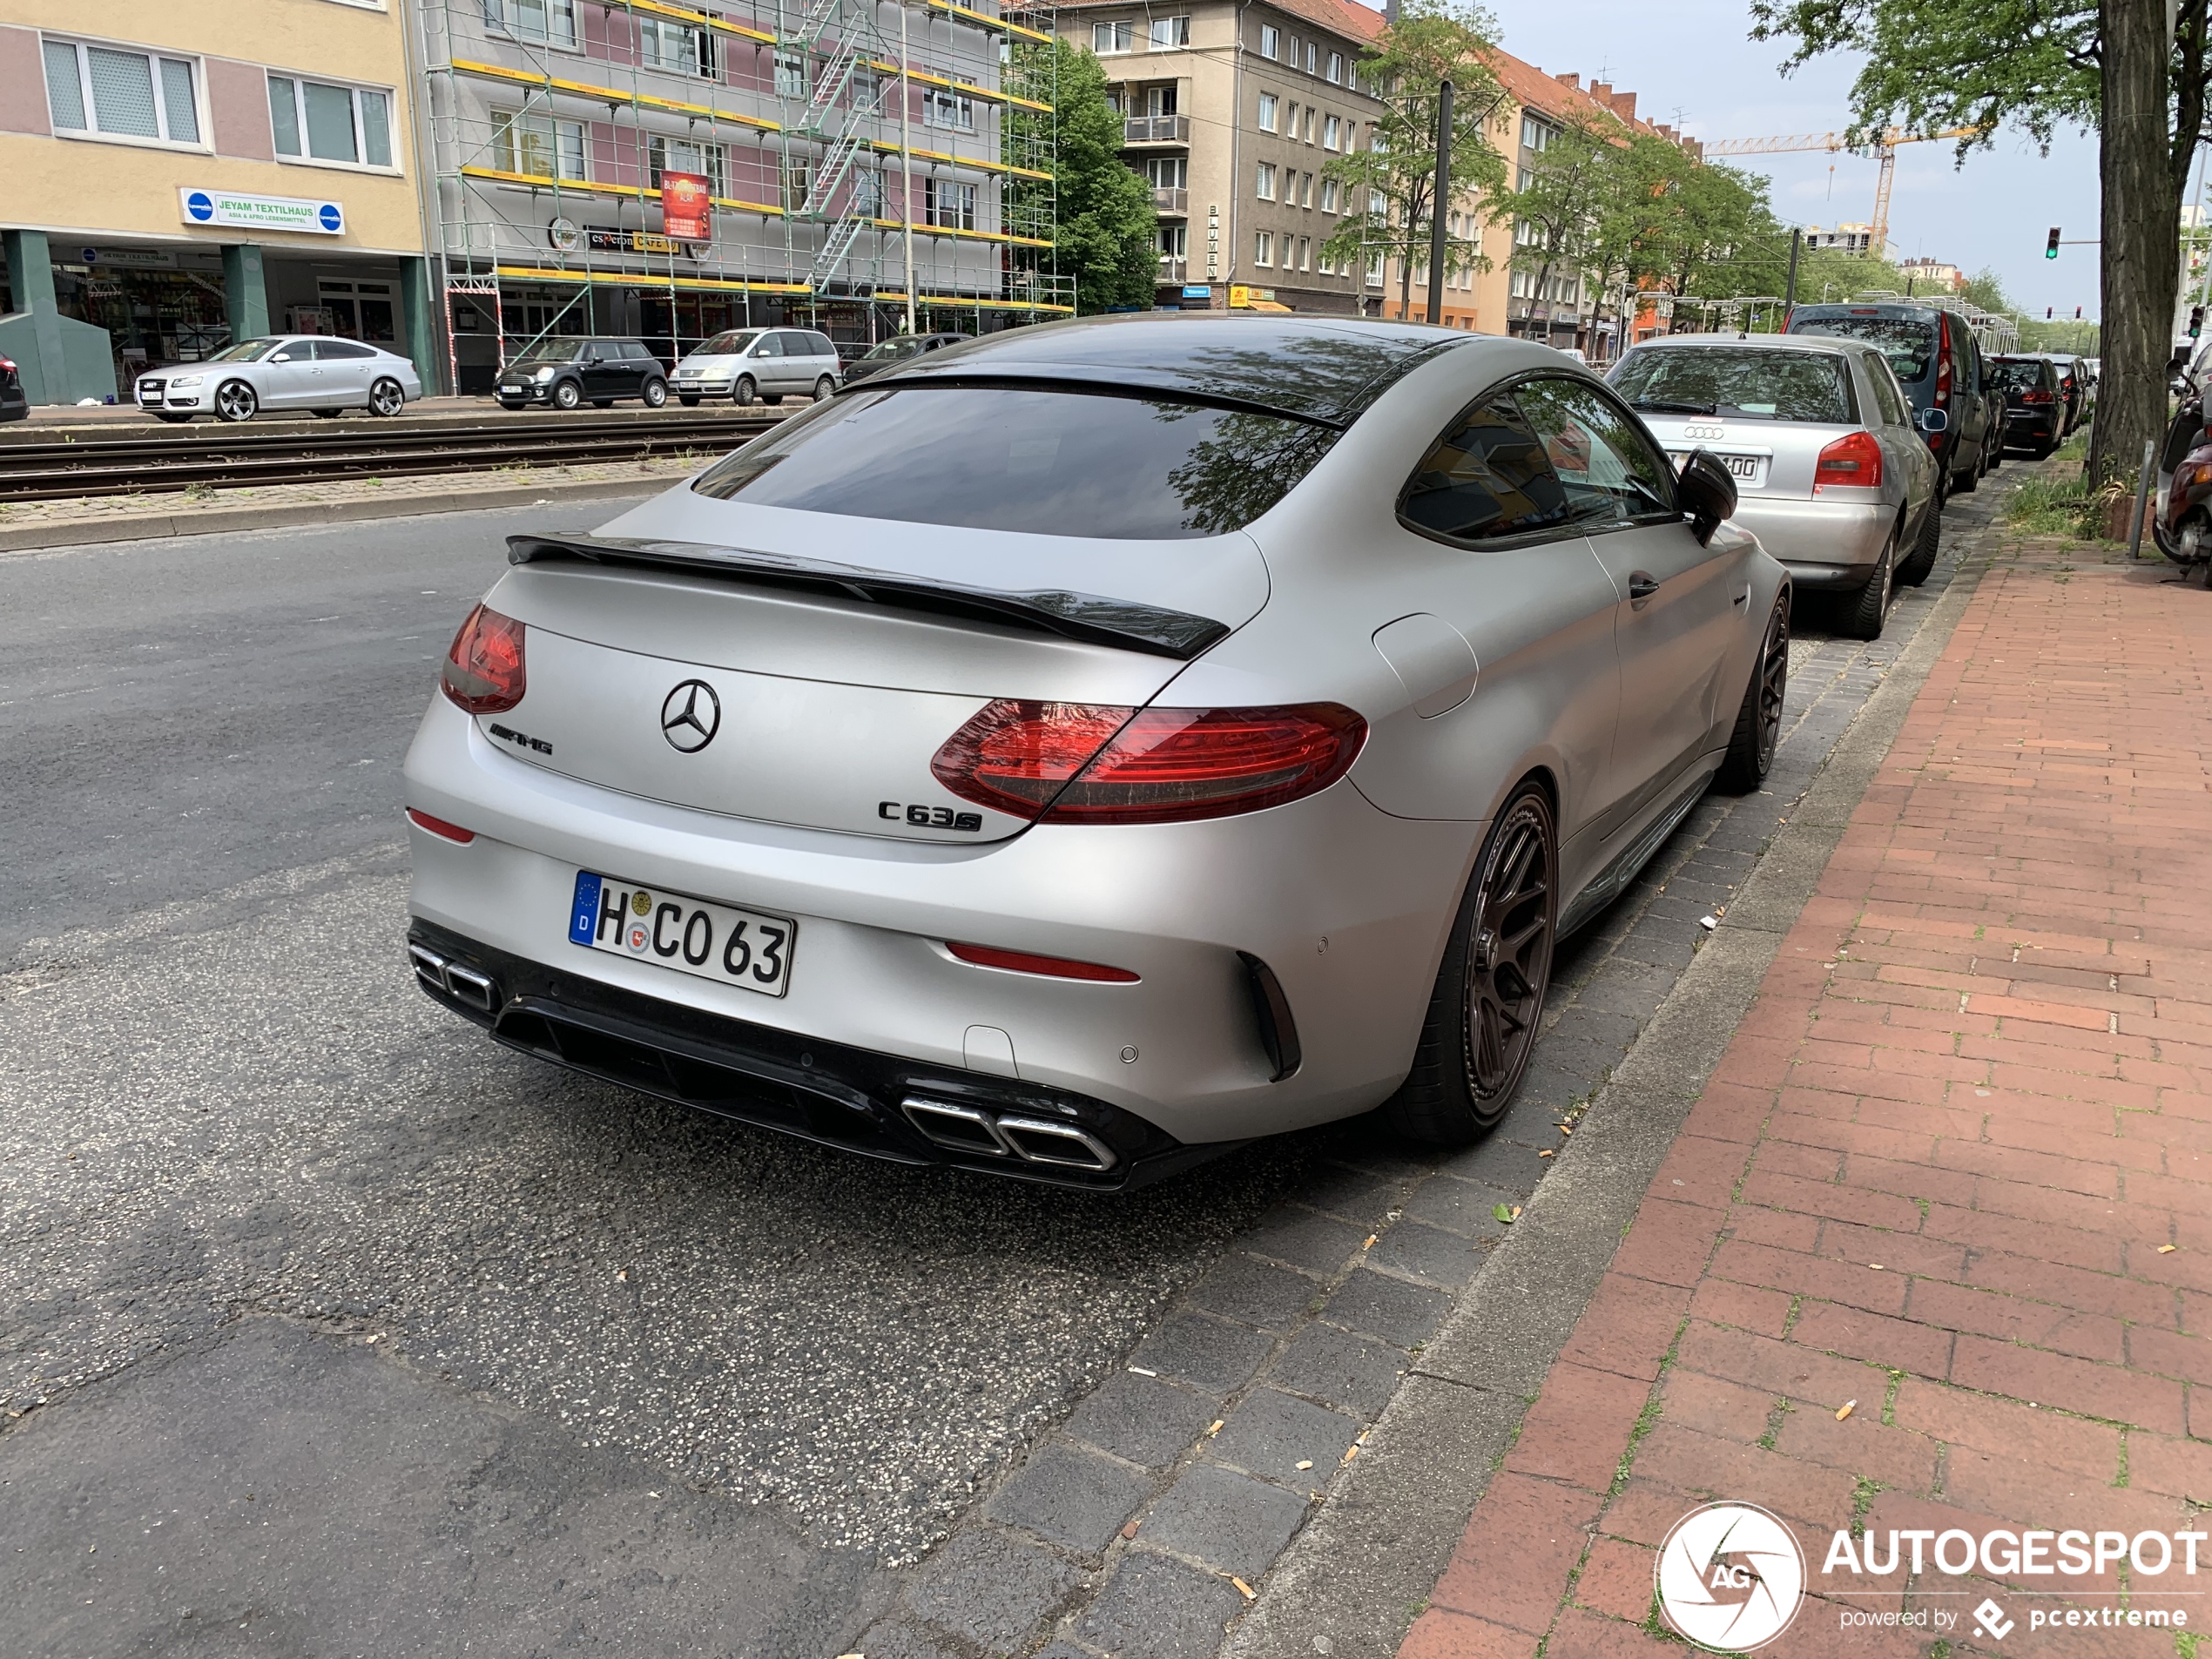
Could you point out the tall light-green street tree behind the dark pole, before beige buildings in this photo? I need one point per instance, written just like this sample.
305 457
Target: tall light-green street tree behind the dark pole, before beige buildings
1390 187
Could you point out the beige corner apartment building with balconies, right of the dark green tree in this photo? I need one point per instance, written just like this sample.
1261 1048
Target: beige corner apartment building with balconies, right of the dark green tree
1231 112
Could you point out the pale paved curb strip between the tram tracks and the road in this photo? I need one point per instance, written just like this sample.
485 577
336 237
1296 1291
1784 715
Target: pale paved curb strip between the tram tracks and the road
138 519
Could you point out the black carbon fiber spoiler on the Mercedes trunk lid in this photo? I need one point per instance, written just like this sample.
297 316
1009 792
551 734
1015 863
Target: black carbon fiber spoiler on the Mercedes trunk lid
1072 616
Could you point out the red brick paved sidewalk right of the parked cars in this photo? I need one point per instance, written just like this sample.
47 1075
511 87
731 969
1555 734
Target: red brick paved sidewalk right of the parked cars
1957 1167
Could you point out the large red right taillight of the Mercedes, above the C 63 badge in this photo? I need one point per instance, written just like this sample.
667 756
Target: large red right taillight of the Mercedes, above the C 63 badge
1098 764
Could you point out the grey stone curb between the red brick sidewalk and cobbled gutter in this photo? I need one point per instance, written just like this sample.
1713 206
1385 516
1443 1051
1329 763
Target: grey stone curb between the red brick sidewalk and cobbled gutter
1364 1567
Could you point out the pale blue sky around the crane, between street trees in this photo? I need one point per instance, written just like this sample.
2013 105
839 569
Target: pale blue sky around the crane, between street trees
1695 67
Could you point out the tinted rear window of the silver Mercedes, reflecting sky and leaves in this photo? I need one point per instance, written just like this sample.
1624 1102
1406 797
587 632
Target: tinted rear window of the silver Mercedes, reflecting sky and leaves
1041 461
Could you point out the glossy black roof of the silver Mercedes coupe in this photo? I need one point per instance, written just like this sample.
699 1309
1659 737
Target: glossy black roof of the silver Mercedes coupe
1317 368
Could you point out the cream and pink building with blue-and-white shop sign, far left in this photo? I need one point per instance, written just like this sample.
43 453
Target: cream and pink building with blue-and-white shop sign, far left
191 174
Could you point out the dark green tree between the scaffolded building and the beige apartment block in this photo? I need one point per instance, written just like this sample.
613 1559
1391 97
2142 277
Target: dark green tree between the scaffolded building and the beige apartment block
1107 236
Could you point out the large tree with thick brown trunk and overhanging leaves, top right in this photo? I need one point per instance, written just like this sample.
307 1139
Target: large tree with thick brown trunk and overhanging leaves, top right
2038 65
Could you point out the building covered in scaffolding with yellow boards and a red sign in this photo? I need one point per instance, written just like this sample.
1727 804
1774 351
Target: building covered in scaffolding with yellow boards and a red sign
833 147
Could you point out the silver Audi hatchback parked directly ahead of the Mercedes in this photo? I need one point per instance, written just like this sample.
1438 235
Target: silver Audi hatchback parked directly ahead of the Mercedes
1830 472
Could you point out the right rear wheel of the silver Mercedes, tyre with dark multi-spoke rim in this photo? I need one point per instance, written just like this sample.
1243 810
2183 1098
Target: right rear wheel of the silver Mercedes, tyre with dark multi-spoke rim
1490 990
